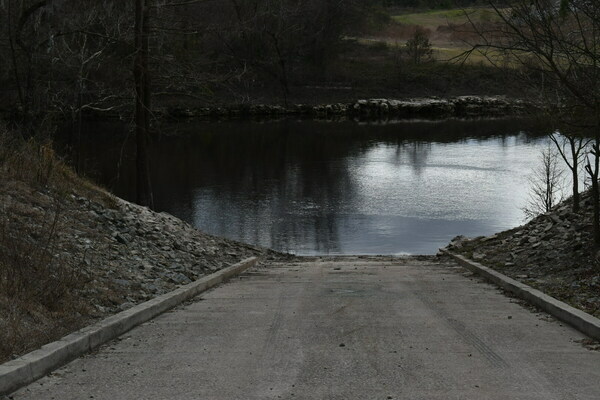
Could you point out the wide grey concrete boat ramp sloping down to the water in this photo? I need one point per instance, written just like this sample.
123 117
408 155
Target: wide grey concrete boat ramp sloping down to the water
351 328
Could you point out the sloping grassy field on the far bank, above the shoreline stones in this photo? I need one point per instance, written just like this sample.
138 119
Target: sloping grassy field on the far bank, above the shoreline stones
375 64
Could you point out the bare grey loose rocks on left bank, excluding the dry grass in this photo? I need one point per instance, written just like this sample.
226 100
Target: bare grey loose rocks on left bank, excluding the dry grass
142 254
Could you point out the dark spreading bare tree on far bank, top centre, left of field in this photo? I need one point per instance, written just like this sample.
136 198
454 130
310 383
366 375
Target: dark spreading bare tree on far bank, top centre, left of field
274 42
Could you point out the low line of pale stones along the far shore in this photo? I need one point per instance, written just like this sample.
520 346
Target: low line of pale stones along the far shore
463 106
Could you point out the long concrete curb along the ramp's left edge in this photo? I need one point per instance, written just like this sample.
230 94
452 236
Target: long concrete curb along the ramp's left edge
32 366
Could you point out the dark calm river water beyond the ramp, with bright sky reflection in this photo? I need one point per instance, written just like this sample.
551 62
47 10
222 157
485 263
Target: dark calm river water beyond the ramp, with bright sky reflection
318 187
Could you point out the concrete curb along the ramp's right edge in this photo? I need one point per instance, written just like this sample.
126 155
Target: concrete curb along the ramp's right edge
580 320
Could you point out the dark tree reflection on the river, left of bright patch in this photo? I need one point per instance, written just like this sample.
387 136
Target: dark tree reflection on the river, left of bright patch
279 183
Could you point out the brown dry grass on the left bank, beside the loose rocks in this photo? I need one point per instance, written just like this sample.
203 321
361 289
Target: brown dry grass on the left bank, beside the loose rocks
39 299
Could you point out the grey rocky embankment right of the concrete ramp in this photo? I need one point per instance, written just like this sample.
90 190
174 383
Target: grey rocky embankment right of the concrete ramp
554 253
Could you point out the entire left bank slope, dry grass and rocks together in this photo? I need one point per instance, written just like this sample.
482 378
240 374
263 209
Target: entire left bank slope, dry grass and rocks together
68 259
